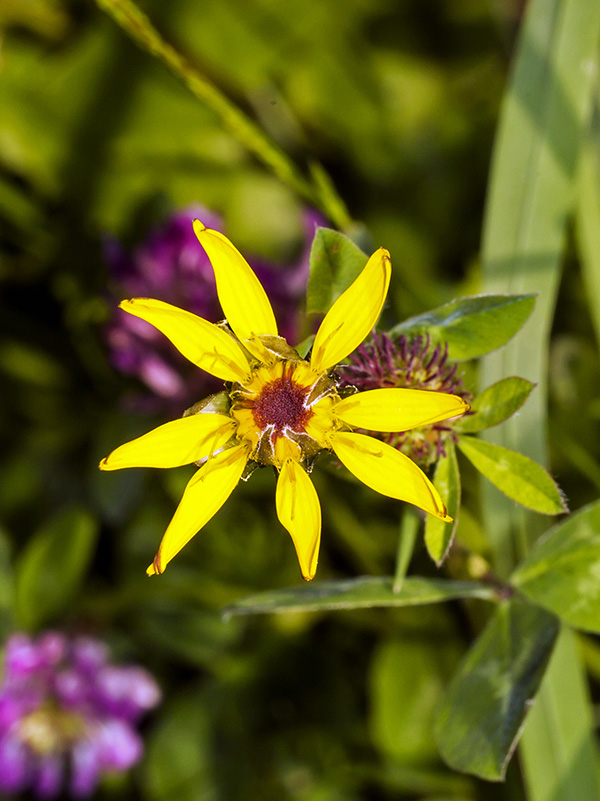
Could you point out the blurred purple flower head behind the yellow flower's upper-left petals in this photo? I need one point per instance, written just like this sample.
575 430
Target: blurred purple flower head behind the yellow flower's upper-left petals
171 264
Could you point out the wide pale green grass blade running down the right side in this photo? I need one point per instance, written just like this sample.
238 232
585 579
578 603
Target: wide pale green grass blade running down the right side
530 197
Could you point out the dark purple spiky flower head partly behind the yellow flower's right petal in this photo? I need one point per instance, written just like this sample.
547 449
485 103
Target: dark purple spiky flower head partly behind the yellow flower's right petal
411 363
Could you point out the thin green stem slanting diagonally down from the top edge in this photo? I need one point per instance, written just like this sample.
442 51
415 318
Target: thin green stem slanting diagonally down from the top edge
316 192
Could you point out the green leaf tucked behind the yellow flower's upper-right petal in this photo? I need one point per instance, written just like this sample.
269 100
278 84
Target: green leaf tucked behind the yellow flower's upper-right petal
335 262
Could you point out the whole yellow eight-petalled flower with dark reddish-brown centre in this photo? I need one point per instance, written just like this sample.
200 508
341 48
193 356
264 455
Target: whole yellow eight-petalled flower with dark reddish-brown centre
280 409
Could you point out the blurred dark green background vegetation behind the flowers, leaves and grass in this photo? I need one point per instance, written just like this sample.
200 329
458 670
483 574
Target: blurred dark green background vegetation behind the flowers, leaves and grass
399 102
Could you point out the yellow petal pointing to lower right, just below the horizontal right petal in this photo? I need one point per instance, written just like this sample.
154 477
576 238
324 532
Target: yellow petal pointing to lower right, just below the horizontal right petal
387 471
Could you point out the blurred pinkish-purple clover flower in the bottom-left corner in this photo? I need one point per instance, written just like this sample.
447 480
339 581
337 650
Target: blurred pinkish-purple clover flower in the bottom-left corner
67 715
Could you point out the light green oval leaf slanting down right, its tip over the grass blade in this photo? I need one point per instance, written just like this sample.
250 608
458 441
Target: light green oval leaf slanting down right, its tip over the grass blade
517 476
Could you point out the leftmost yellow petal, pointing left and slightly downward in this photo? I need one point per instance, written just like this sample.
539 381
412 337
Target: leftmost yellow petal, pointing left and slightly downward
179 442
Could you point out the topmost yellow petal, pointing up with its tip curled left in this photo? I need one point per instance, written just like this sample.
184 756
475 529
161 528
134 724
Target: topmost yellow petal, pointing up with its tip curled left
244 301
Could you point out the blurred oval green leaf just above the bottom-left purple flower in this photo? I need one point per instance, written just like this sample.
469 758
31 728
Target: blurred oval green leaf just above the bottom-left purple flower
53 565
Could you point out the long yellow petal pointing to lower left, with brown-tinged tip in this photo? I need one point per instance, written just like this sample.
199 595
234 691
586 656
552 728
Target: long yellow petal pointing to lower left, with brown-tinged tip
204 495
